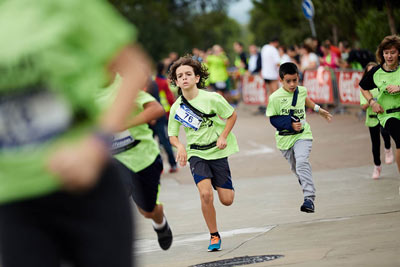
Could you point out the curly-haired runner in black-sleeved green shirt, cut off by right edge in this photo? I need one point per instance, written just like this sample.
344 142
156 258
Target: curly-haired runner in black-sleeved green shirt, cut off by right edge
386 77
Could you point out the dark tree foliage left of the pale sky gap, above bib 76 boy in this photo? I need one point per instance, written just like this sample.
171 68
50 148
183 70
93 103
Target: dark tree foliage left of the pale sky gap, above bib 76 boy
179 25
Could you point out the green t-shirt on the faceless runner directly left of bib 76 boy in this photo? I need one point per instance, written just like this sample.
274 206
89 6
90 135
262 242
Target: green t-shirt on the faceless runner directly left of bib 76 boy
146 151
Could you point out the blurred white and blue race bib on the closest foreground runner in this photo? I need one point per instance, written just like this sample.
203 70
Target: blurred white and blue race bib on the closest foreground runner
32 118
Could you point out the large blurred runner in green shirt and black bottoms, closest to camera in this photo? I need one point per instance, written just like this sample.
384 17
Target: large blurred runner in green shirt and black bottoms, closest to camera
59 195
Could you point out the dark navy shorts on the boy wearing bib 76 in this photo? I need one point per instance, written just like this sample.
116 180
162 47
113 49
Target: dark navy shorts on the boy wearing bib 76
217 170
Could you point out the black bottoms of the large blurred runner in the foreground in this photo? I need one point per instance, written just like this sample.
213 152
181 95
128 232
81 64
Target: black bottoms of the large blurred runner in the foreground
87 229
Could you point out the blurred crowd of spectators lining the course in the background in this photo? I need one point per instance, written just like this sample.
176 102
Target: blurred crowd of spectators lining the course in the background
225 74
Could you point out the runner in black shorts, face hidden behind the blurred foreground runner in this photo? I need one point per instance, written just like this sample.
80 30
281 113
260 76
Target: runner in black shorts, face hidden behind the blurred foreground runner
138 158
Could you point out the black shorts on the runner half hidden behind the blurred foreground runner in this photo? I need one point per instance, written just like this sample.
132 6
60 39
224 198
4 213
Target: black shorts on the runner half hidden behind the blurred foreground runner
143 185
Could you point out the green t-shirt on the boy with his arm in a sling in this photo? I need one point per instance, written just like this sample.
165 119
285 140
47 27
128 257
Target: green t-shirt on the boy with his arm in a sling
280 103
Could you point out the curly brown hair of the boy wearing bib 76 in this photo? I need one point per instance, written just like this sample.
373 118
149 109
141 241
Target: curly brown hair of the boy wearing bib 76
198 69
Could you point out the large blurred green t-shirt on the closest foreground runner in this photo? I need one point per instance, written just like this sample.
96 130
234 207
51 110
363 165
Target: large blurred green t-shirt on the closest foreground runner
46 42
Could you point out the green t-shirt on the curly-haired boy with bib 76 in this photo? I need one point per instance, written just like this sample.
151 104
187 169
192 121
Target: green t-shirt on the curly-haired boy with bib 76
210 128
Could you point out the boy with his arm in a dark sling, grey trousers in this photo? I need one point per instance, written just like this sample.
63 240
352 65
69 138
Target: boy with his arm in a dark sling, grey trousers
287 112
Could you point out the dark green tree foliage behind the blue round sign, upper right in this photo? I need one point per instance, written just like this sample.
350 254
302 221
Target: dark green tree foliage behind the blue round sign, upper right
358 21
